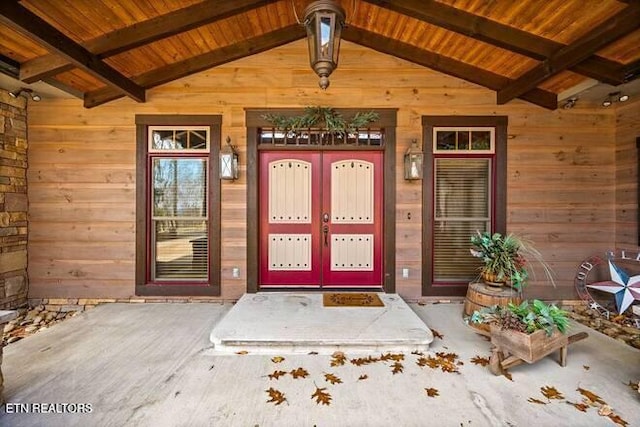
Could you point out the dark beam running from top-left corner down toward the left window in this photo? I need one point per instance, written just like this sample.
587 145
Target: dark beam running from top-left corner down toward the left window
19 18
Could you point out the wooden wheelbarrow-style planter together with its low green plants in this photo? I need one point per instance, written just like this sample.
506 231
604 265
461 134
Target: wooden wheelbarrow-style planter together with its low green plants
527 331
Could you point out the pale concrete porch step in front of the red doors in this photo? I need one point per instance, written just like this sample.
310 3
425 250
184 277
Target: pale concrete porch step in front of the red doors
287 322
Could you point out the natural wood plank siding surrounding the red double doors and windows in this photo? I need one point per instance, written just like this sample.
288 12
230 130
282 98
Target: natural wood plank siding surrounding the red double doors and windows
566 169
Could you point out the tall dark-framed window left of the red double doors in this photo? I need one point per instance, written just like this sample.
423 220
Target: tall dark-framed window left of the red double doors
178 205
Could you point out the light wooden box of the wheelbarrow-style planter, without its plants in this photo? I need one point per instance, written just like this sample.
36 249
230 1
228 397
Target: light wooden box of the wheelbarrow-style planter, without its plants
528 347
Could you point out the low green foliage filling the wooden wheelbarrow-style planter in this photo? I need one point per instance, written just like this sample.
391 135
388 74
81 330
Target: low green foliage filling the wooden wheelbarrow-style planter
526 317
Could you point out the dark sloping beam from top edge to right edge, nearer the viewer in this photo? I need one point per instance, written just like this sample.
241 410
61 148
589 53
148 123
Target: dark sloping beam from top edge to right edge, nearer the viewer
497 34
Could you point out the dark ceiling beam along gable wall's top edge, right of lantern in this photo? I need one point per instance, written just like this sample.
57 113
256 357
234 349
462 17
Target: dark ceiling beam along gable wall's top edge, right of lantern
443 64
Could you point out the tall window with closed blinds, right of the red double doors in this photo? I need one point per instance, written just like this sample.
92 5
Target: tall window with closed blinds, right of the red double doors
463 193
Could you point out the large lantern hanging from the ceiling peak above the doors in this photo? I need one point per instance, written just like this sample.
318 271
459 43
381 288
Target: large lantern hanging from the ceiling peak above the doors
324 20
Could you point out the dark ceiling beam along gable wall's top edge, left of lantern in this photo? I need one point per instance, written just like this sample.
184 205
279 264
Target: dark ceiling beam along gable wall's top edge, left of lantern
203 62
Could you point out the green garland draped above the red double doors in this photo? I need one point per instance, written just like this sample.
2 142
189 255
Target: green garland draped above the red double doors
315 116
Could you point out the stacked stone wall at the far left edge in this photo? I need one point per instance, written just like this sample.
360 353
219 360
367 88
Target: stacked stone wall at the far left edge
13 201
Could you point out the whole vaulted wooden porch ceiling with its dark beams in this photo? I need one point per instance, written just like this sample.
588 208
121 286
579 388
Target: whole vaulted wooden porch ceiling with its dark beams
102 50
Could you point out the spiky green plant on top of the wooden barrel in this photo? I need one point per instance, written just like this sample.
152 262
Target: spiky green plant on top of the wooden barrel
506 259
